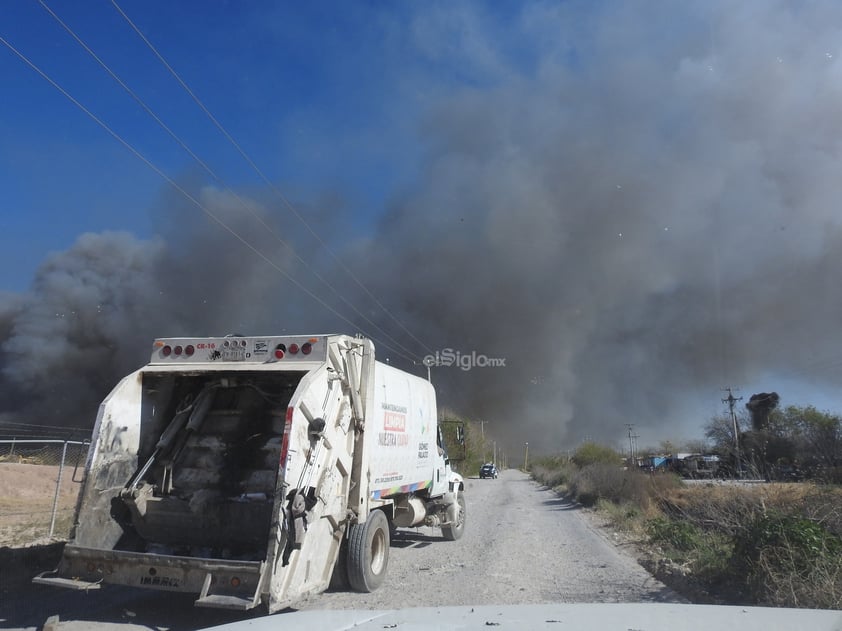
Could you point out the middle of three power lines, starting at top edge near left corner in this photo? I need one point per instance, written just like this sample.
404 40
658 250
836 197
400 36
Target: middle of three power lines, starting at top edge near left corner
216 177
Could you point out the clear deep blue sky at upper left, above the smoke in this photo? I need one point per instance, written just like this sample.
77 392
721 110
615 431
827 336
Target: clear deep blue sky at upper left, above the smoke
304 89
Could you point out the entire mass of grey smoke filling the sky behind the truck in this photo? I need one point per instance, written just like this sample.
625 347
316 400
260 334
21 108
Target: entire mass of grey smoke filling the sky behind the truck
636 212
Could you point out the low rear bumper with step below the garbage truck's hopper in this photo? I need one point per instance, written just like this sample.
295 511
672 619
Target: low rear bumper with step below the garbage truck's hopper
218 582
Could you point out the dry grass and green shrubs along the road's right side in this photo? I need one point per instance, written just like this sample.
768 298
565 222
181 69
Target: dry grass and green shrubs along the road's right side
775 544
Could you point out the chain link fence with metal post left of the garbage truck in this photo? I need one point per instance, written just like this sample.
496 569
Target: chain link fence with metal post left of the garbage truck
40 481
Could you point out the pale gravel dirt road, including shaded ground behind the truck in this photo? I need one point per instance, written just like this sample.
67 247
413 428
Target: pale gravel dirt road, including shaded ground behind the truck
522 544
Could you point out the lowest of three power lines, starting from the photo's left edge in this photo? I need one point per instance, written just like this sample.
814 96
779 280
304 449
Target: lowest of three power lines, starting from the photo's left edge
188 196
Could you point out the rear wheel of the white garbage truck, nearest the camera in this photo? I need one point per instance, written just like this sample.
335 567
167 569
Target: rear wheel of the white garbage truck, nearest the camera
368 552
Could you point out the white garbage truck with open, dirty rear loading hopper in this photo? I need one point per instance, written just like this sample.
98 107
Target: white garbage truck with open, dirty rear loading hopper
258 470
